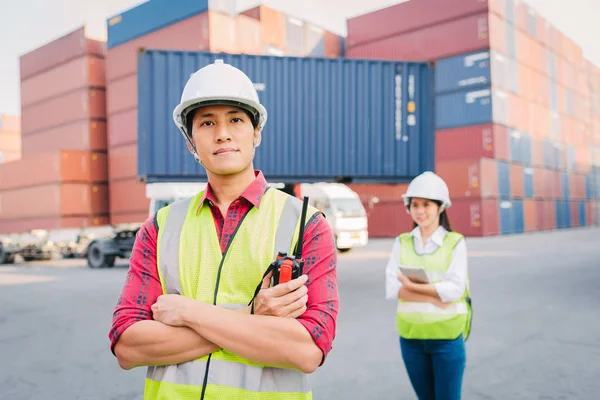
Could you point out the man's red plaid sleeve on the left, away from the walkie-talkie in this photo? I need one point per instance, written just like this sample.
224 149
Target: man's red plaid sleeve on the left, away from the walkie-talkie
142 284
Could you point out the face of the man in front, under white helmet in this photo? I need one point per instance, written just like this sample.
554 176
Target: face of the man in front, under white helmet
224 139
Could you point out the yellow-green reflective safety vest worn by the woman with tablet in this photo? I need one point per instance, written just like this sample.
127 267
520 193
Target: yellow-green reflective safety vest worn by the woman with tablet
416 320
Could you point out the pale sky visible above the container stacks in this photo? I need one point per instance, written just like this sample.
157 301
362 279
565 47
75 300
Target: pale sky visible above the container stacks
25 25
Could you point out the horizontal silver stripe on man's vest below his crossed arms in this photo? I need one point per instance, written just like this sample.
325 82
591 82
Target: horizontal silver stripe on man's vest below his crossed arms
225 373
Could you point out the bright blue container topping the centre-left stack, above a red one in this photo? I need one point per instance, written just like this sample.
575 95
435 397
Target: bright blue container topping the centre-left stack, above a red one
149 17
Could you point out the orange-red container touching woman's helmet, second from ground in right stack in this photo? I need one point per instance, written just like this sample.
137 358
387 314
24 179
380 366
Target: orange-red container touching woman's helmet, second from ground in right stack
470 178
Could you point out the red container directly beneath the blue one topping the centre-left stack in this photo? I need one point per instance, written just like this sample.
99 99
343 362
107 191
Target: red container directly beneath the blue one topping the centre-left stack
190 34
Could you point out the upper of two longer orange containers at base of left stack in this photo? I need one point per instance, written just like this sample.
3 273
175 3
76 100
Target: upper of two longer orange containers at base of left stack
57 199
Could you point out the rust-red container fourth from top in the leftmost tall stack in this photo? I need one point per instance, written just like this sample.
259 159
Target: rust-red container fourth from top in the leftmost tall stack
79 135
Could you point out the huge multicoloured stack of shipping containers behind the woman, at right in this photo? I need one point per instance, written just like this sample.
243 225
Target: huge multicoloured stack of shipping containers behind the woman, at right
513 114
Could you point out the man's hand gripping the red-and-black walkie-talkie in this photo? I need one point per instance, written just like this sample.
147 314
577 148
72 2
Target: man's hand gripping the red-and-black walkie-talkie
284 300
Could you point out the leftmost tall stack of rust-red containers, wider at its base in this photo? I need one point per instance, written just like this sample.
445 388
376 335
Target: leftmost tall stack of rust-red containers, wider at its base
61 181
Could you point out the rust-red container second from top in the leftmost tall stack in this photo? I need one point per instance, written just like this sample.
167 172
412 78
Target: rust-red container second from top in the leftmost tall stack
82 72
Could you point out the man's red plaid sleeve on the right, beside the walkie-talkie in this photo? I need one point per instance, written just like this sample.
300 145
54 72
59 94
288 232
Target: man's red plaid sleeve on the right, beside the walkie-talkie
320 256
